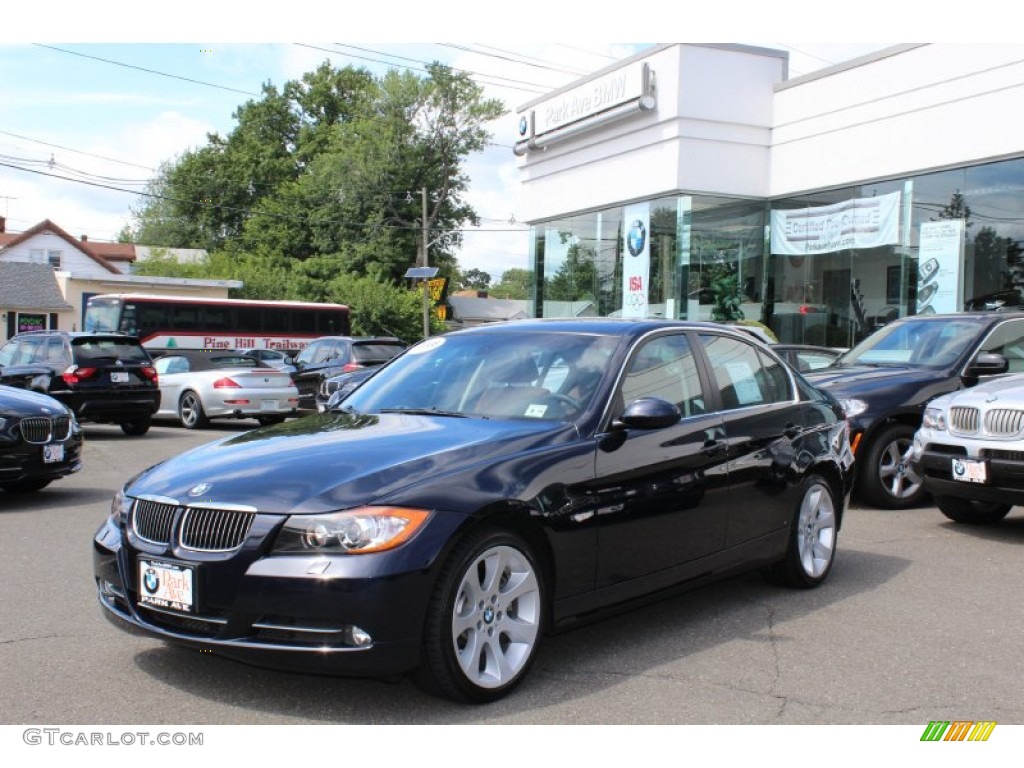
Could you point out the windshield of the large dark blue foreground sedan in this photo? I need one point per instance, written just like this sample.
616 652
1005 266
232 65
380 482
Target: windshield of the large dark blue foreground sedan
537 375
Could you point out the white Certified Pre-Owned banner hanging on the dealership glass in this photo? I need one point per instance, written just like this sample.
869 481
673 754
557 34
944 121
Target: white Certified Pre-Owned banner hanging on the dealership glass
865 223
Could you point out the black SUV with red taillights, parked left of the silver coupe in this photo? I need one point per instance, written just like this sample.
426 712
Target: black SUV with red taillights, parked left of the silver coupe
106 378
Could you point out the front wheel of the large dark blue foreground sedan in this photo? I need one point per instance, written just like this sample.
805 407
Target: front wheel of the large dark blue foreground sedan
486 620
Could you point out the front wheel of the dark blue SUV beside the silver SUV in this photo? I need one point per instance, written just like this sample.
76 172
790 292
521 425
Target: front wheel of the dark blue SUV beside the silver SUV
888 480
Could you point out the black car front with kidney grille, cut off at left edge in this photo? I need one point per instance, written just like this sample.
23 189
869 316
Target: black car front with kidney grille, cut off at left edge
40 441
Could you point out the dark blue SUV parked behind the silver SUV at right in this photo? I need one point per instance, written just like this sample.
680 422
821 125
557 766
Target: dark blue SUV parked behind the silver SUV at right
885 382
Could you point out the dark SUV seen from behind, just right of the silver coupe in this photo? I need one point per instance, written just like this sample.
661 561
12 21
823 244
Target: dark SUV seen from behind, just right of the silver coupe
330 356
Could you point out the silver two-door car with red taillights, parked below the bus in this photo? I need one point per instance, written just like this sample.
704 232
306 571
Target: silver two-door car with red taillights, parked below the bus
198 387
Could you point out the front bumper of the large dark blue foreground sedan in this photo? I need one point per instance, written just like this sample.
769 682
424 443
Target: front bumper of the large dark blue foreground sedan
353 616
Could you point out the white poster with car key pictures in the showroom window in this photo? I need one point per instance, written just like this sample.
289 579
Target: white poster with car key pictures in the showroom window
938 267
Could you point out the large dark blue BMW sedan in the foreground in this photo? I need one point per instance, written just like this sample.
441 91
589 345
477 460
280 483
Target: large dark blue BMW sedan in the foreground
486 488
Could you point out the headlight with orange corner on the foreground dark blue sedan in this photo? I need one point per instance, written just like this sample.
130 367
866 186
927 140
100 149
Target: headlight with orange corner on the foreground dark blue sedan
356 532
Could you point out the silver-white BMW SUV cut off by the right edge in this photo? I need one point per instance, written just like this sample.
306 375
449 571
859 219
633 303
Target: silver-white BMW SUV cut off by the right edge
970 451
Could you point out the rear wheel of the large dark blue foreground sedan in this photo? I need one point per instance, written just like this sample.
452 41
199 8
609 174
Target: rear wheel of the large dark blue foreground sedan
813 540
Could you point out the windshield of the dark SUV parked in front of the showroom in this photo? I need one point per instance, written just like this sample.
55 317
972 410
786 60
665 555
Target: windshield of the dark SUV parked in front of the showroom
924 344
